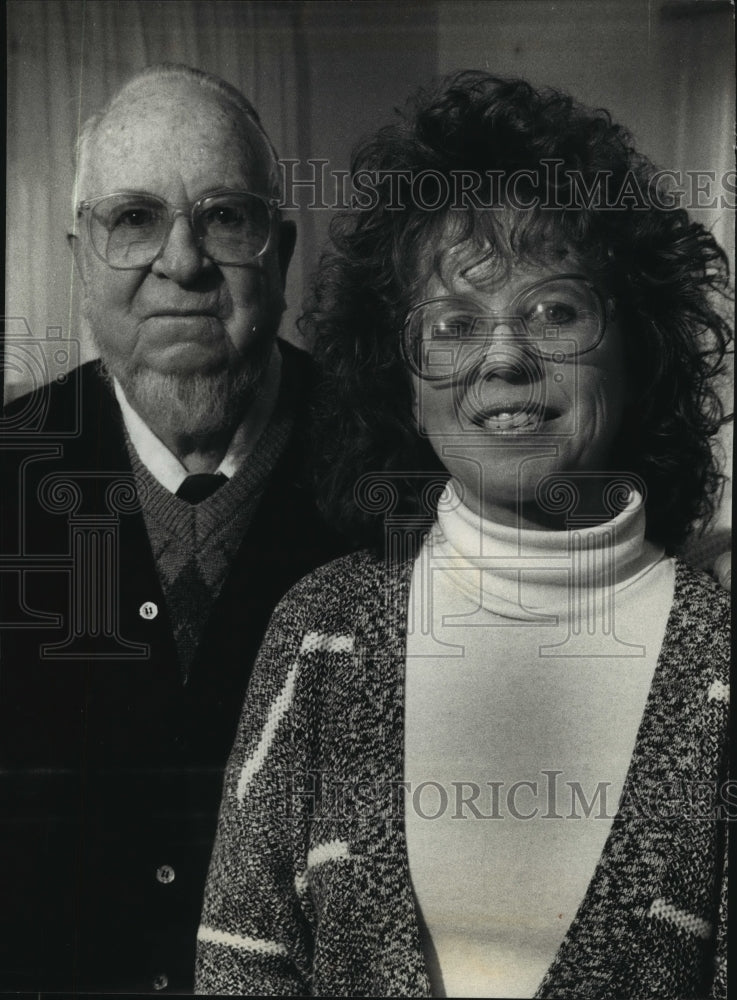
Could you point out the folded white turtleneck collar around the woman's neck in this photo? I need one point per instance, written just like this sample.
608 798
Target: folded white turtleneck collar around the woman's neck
524 574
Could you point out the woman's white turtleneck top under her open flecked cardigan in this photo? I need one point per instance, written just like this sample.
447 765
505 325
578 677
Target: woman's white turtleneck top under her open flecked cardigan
529 660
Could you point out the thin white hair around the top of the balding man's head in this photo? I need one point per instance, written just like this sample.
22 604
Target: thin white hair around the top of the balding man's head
241 106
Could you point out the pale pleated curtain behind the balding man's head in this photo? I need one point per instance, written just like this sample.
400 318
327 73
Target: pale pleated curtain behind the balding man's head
65 59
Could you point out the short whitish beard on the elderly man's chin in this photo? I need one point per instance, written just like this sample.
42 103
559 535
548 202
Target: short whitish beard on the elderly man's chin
197 405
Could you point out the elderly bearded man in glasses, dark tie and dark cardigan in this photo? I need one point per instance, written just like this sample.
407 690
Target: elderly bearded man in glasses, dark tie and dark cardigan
157 535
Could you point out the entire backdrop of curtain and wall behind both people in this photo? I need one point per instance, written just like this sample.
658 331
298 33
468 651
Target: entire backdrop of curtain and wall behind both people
323 74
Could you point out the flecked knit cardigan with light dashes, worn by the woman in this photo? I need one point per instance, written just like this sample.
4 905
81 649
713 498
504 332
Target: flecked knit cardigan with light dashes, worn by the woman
309 890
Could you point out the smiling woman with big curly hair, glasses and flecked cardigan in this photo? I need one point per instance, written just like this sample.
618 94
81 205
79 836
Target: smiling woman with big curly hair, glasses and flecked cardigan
484 757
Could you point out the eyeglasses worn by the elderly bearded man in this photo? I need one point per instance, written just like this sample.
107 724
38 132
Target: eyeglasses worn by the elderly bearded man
129 230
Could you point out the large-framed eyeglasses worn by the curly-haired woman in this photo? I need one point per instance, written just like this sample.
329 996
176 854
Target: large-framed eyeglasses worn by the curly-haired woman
558 318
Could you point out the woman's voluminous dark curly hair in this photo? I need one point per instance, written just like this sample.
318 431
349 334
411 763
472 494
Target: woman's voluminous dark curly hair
667 273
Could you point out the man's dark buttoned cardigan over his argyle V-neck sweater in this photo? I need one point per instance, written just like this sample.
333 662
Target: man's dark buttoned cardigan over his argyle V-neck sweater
110 767
